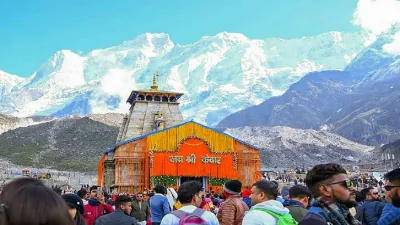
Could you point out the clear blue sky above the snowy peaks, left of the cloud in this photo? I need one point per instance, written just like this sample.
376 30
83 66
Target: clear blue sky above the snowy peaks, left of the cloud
32 31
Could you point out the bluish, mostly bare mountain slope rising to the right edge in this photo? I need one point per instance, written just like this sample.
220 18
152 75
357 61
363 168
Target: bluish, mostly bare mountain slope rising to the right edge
361 103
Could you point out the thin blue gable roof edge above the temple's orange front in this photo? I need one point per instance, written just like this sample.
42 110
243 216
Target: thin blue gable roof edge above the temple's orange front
177 125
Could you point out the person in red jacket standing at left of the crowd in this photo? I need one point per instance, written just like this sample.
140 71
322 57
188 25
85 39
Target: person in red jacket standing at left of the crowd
96 206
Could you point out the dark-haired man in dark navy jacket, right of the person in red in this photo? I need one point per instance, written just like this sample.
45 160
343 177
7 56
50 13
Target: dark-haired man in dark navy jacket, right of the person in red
121 215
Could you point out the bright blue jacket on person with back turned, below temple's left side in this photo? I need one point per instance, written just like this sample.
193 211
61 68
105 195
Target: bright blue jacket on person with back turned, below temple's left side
159 206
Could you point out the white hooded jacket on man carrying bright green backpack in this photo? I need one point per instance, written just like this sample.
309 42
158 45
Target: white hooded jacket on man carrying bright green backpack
257 217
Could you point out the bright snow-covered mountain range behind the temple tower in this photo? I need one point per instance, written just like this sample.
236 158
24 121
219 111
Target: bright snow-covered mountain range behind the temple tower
218 74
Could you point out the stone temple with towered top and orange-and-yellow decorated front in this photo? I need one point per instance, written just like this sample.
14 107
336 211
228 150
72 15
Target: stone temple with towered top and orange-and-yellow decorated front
155 146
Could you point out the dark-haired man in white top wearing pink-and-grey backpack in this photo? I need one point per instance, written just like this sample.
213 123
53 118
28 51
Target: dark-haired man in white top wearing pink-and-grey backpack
190 196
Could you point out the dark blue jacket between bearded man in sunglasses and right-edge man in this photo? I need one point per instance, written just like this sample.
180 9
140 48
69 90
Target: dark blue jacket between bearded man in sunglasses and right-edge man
370 212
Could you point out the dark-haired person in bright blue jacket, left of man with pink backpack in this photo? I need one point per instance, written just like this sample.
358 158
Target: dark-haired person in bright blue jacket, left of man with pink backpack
159 205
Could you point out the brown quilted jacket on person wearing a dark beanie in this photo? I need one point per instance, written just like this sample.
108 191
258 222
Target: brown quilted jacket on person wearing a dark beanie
231 212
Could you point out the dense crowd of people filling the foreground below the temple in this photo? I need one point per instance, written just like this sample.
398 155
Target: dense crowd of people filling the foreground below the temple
328 197
